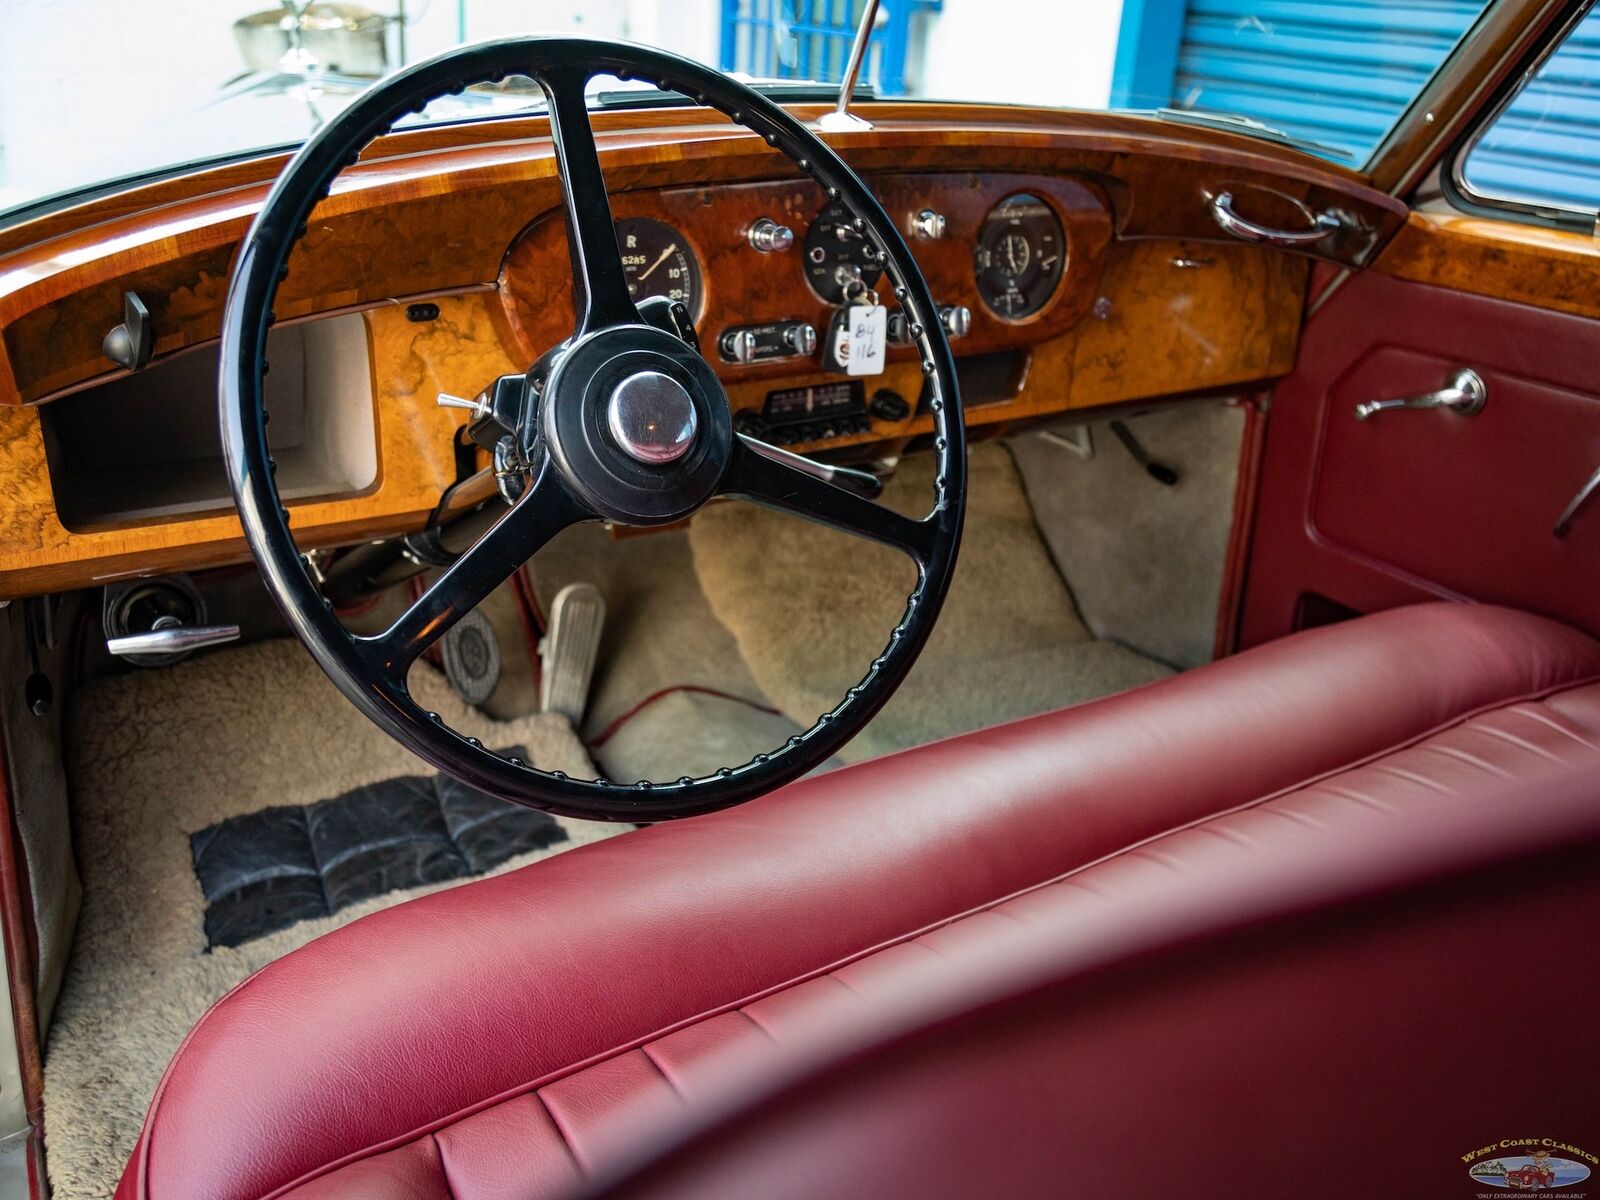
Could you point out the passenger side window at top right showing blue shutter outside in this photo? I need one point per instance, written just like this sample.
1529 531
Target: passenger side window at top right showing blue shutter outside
1542 153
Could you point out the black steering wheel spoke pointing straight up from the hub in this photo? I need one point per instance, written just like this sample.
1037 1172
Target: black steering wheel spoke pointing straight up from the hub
599 282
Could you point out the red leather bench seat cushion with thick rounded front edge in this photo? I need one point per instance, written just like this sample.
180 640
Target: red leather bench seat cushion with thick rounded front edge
511 1036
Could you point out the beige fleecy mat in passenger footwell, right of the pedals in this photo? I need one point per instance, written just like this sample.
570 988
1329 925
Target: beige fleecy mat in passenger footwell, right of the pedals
810 609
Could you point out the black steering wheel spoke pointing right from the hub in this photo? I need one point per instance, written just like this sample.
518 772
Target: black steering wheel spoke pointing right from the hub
778 479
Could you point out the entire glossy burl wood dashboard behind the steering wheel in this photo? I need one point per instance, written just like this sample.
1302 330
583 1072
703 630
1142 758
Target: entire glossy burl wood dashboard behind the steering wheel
447 249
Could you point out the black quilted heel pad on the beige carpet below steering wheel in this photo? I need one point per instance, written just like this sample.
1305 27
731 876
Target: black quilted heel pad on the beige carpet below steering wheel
270 870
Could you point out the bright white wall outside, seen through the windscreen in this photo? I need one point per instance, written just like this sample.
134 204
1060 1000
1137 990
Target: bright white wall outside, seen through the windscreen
94 89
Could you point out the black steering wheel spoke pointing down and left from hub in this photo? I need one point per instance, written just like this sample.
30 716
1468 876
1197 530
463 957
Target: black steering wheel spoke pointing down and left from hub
542 513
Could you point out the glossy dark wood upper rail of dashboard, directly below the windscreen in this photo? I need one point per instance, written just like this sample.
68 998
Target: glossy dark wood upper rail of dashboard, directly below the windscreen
442 215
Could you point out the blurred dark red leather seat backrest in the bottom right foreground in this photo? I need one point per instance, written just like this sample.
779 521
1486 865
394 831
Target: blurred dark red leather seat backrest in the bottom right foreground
1350 990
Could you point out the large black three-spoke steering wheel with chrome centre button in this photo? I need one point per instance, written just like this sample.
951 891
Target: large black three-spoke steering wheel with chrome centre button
625 422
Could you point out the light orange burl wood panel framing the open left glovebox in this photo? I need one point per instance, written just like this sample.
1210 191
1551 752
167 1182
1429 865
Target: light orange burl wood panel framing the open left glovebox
412 364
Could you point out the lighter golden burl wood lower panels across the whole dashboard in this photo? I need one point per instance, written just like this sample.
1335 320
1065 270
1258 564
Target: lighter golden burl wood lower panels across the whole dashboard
1167 330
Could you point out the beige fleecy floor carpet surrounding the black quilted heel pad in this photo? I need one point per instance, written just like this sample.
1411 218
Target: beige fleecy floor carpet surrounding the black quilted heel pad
153 758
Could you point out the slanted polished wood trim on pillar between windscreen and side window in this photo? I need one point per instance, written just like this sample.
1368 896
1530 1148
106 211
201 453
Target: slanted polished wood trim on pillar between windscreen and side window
1502 39
